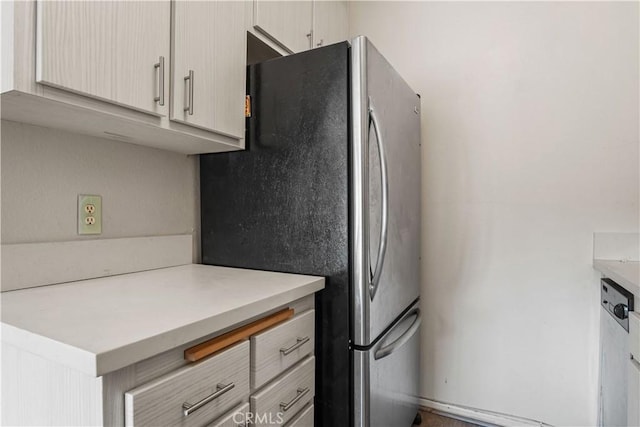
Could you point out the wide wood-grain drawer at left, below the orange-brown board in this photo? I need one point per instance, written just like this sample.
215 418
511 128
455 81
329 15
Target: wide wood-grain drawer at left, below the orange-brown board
202 385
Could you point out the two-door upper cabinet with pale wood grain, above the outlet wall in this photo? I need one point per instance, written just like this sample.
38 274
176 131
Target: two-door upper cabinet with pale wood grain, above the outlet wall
168 74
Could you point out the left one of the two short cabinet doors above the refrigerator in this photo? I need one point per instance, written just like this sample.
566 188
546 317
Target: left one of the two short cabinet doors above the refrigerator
286 22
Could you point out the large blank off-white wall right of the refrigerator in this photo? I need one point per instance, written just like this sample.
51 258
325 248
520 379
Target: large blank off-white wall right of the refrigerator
530 134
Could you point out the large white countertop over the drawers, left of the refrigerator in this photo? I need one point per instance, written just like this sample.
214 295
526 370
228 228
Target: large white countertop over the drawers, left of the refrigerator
100 325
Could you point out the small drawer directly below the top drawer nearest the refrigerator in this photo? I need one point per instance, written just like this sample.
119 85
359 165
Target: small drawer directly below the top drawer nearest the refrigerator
283 398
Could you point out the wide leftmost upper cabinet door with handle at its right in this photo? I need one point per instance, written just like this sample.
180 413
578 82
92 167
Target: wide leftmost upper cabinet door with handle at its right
111 50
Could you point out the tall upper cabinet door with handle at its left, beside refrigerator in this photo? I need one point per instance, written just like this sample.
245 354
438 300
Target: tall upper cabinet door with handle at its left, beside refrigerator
209 65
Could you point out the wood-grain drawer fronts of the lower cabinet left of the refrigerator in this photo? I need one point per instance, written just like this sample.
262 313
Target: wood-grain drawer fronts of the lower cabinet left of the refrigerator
266 380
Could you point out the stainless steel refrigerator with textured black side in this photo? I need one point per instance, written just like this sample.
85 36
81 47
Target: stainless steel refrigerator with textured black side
330 185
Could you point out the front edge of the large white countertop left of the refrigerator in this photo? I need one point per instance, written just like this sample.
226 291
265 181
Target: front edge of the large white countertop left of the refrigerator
103 363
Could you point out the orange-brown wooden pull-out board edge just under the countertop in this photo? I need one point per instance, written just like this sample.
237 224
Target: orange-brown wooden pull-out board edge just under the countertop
202 350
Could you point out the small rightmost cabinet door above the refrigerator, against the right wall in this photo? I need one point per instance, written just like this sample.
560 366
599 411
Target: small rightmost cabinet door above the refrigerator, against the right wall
330 22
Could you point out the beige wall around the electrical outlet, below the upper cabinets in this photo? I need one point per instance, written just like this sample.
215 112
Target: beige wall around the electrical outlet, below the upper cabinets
145 192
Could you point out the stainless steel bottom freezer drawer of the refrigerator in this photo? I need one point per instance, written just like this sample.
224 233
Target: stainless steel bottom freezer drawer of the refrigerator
388 392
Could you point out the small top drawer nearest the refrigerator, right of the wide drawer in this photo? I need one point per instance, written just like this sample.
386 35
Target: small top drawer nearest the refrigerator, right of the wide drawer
278 348
